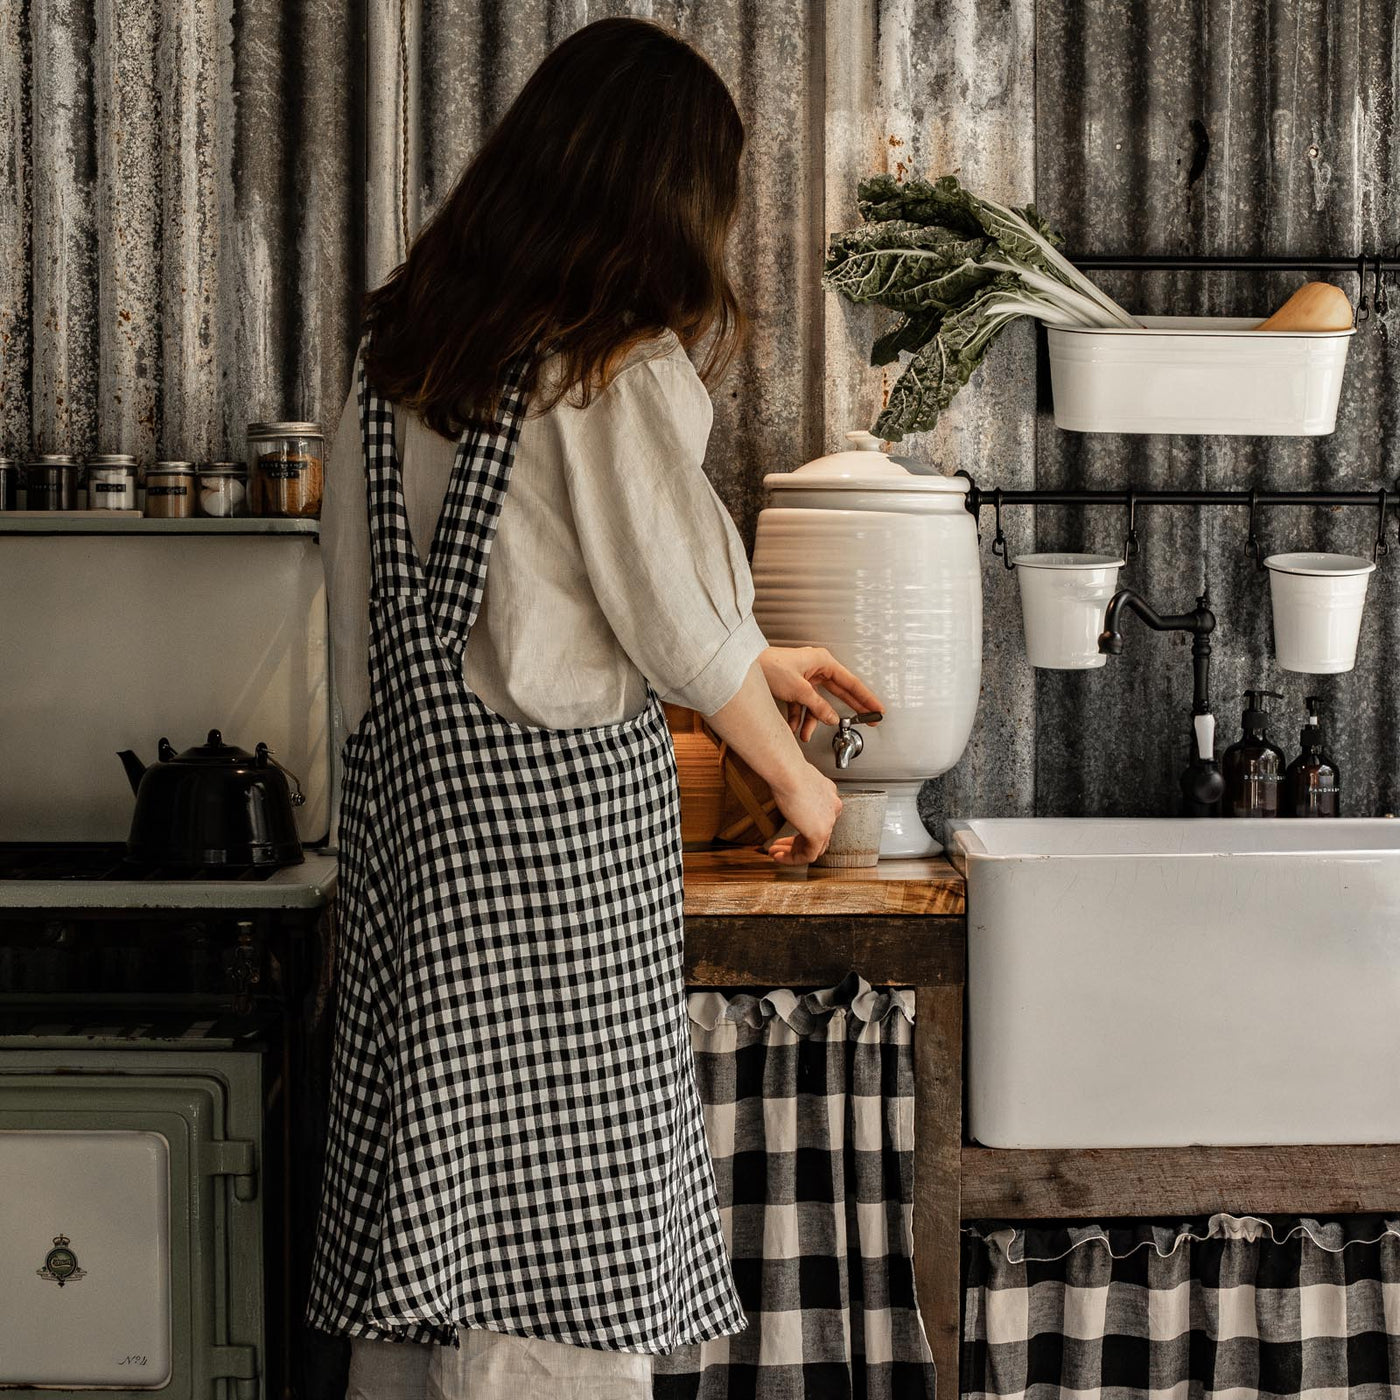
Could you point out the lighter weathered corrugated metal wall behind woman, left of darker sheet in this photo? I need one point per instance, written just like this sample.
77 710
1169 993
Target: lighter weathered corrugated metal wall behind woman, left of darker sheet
201 192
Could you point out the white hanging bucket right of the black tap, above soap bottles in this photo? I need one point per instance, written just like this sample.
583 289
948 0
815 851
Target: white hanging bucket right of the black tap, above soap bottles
1318 603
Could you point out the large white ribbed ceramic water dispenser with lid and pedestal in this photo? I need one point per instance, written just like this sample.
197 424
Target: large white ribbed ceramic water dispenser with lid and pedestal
877 559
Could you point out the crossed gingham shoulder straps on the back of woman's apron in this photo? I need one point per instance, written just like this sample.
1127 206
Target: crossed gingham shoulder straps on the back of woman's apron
456 572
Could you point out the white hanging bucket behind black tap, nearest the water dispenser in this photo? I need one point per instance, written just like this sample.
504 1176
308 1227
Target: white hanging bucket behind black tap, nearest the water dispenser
1063 600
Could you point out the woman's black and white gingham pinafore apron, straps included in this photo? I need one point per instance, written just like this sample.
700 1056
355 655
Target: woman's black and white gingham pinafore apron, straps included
516 1133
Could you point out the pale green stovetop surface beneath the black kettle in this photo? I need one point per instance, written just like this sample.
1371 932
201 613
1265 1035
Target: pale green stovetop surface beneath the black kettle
86 876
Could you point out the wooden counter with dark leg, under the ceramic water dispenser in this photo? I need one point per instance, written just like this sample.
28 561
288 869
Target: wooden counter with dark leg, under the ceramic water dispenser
898 923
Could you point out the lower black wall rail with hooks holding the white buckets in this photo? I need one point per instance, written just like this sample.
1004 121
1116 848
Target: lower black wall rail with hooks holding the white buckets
1381 500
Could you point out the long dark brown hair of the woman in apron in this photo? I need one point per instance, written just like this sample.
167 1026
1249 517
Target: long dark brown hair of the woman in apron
593 219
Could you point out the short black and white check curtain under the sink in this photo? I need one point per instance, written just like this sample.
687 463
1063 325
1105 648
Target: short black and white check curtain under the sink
1231 1308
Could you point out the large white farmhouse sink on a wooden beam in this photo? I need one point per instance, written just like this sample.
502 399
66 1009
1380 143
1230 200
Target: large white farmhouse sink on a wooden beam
1165 983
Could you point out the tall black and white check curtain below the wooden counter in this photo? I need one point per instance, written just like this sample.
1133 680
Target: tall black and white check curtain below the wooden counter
810 1112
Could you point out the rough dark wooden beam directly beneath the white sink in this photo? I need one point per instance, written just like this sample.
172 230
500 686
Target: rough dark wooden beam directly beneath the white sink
1105 1184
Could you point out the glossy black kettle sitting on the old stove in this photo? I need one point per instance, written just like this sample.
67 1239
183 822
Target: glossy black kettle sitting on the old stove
212 806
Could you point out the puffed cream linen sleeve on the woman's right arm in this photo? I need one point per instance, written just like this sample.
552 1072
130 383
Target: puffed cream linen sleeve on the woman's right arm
663 555
